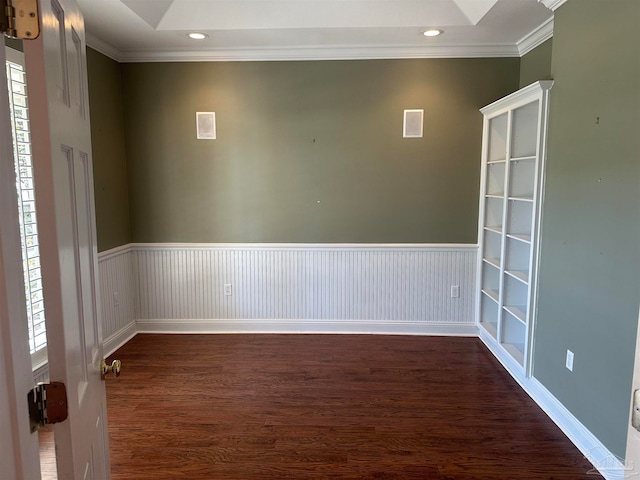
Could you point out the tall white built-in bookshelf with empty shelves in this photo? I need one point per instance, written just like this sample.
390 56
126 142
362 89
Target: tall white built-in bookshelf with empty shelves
513 154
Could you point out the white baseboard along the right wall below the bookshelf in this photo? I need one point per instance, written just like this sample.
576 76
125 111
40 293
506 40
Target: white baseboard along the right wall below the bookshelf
606 463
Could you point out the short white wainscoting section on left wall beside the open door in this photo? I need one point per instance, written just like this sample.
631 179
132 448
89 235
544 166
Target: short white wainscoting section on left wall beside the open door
117 297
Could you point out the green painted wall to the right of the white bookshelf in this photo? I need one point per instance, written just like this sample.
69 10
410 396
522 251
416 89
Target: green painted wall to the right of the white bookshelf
590 261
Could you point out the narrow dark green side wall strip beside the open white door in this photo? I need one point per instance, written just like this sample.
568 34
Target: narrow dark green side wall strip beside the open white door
109 156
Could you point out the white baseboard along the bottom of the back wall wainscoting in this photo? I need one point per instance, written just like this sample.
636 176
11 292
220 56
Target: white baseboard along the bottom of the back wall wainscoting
303 326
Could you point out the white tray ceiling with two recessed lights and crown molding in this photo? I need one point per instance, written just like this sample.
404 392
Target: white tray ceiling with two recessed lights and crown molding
156 30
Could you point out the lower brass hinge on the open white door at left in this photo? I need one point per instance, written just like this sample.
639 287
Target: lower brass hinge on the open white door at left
47 404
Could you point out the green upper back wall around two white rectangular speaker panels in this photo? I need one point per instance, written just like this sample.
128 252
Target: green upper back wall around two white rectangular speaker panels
308 151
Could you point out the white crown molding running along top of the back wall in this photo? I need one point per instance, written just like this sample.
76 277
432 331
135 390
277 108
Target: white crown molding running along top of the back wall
320 53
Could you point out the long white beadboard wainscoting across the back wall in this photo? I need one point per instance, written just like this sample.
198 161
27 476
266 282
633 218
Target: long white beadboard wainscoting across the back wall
323 288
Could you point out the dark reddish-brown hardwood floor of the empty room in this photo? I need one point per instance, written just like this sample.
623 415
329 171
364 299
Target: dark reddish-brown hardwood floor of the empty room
247 407
